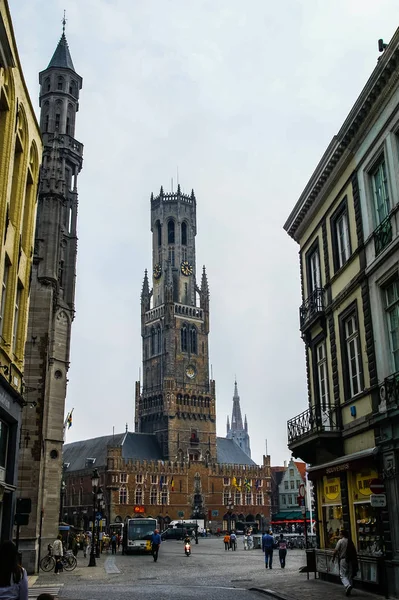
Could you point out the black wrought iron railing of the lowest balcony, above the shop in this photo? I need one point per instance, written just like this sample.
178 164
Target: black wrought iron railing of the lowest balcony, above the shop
315 419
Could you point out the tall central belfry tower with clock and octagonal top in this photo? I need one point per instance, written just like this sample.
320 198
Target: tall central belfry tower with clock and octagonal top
177 399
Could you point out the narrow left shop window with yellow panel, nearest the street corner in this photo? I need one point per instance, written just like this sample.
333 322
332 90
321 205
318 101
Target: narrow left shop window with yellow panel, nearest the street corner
332 510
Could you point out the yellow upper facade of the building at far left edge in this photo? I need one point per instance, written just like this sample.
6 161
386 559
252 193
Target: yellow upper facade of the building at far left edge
20 157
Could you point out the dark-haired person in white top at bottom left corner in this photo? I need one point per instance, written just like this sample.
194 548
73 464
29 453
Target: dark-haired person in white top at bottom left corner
13 578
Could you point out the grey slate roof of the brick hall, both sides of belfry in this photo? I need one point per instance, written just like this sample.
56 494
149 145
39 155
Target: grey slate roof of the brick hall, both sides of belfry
139 446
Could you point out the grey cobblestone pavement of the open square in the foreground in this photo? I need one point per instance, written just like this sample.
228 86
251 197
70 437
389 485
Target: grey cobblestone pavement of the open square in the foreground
209 566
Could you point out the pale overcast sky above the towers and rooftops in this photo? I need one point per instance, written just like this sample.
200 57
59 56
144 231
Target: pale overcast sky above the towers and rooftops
241 97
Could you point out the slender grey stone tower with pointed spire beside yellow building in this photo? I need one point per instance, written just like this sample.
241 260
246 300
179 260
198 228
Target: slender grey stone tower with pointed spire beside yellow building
52 305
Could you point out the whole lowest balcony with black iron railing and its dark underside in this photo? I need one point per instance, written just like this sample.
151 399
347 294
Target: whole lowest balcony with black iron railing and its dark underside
309 427
